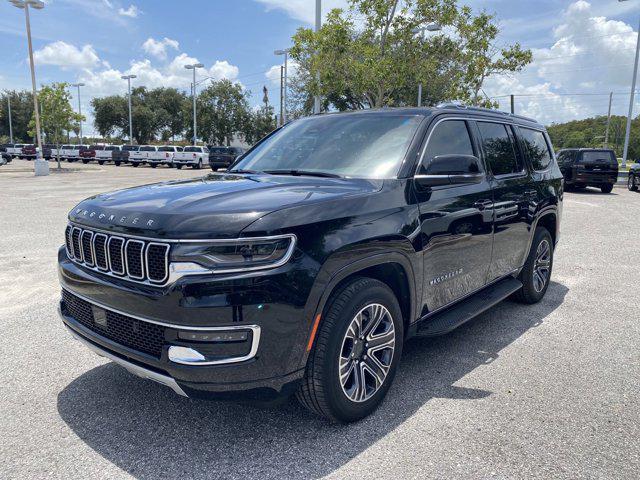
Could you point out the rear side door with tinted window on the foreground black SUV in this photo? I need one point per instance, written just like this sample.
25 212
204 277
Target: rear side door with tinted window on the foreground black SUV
513 194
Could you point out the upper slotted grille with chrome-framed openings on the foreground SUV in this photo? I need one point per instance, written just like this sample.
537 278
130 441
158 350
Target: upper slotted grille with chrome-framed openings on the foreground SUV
136 260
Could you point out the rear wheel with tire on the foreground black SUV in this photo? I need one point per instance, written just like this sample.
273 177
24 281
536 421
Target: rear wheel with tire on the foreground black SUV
533 287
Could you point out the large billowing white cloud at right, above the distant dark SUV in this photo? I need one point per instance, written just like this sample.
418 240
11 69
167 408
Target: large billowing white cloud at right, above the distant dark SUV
590 55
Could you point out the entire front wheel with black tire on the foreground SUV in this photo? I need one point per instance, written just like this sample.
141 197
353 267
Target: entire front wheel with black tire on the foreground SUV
322 390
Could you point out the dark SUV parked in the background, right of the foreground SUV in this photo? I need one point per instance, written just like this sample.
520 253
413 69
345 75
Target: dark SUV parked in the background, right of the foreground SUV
588 167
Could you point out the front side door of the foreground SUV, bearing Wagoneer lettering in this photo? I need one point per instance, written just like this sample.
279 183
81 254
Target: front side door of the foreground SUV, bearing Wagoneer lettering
456 223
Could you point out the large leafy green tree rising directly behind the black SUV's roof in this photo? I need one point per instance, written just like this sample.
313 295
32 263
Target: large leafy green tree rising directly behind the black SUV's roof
370 55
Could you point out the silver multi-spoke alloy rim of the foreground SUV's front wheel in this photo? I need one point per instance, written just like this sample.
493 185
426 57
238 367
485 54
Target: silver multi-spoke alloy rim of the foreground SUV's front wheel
367 352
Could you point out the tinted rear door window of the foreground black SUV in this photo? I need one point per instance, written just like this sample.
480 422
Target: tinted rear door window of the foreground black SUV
499 149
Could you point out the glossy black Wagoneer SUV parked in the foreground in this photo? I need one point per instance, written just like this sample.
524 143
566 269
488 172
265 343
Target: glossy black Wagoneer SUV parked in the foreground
307 265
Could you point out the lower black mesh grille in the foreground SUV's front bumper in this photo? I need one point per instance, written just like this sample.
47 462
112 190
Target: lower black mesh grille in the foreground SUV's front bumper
127 331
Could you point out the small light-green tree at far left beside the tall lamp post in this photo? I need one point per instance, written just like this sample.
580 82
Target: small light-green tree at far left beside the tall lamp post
57 114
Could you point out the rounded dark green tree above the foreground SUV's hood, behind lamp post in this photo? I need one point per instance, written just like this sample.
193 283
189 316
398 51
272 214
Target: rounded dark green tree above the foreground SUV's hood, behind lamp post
223 113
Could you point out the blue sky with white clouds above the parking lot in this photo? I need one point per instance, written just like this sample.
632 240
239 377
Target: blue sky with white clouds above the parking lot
582 49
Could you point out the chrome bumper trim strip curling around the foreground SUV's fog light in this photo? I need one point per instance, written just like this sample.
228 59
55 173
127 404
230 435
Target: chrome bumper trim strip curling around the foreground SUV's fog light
255 330
